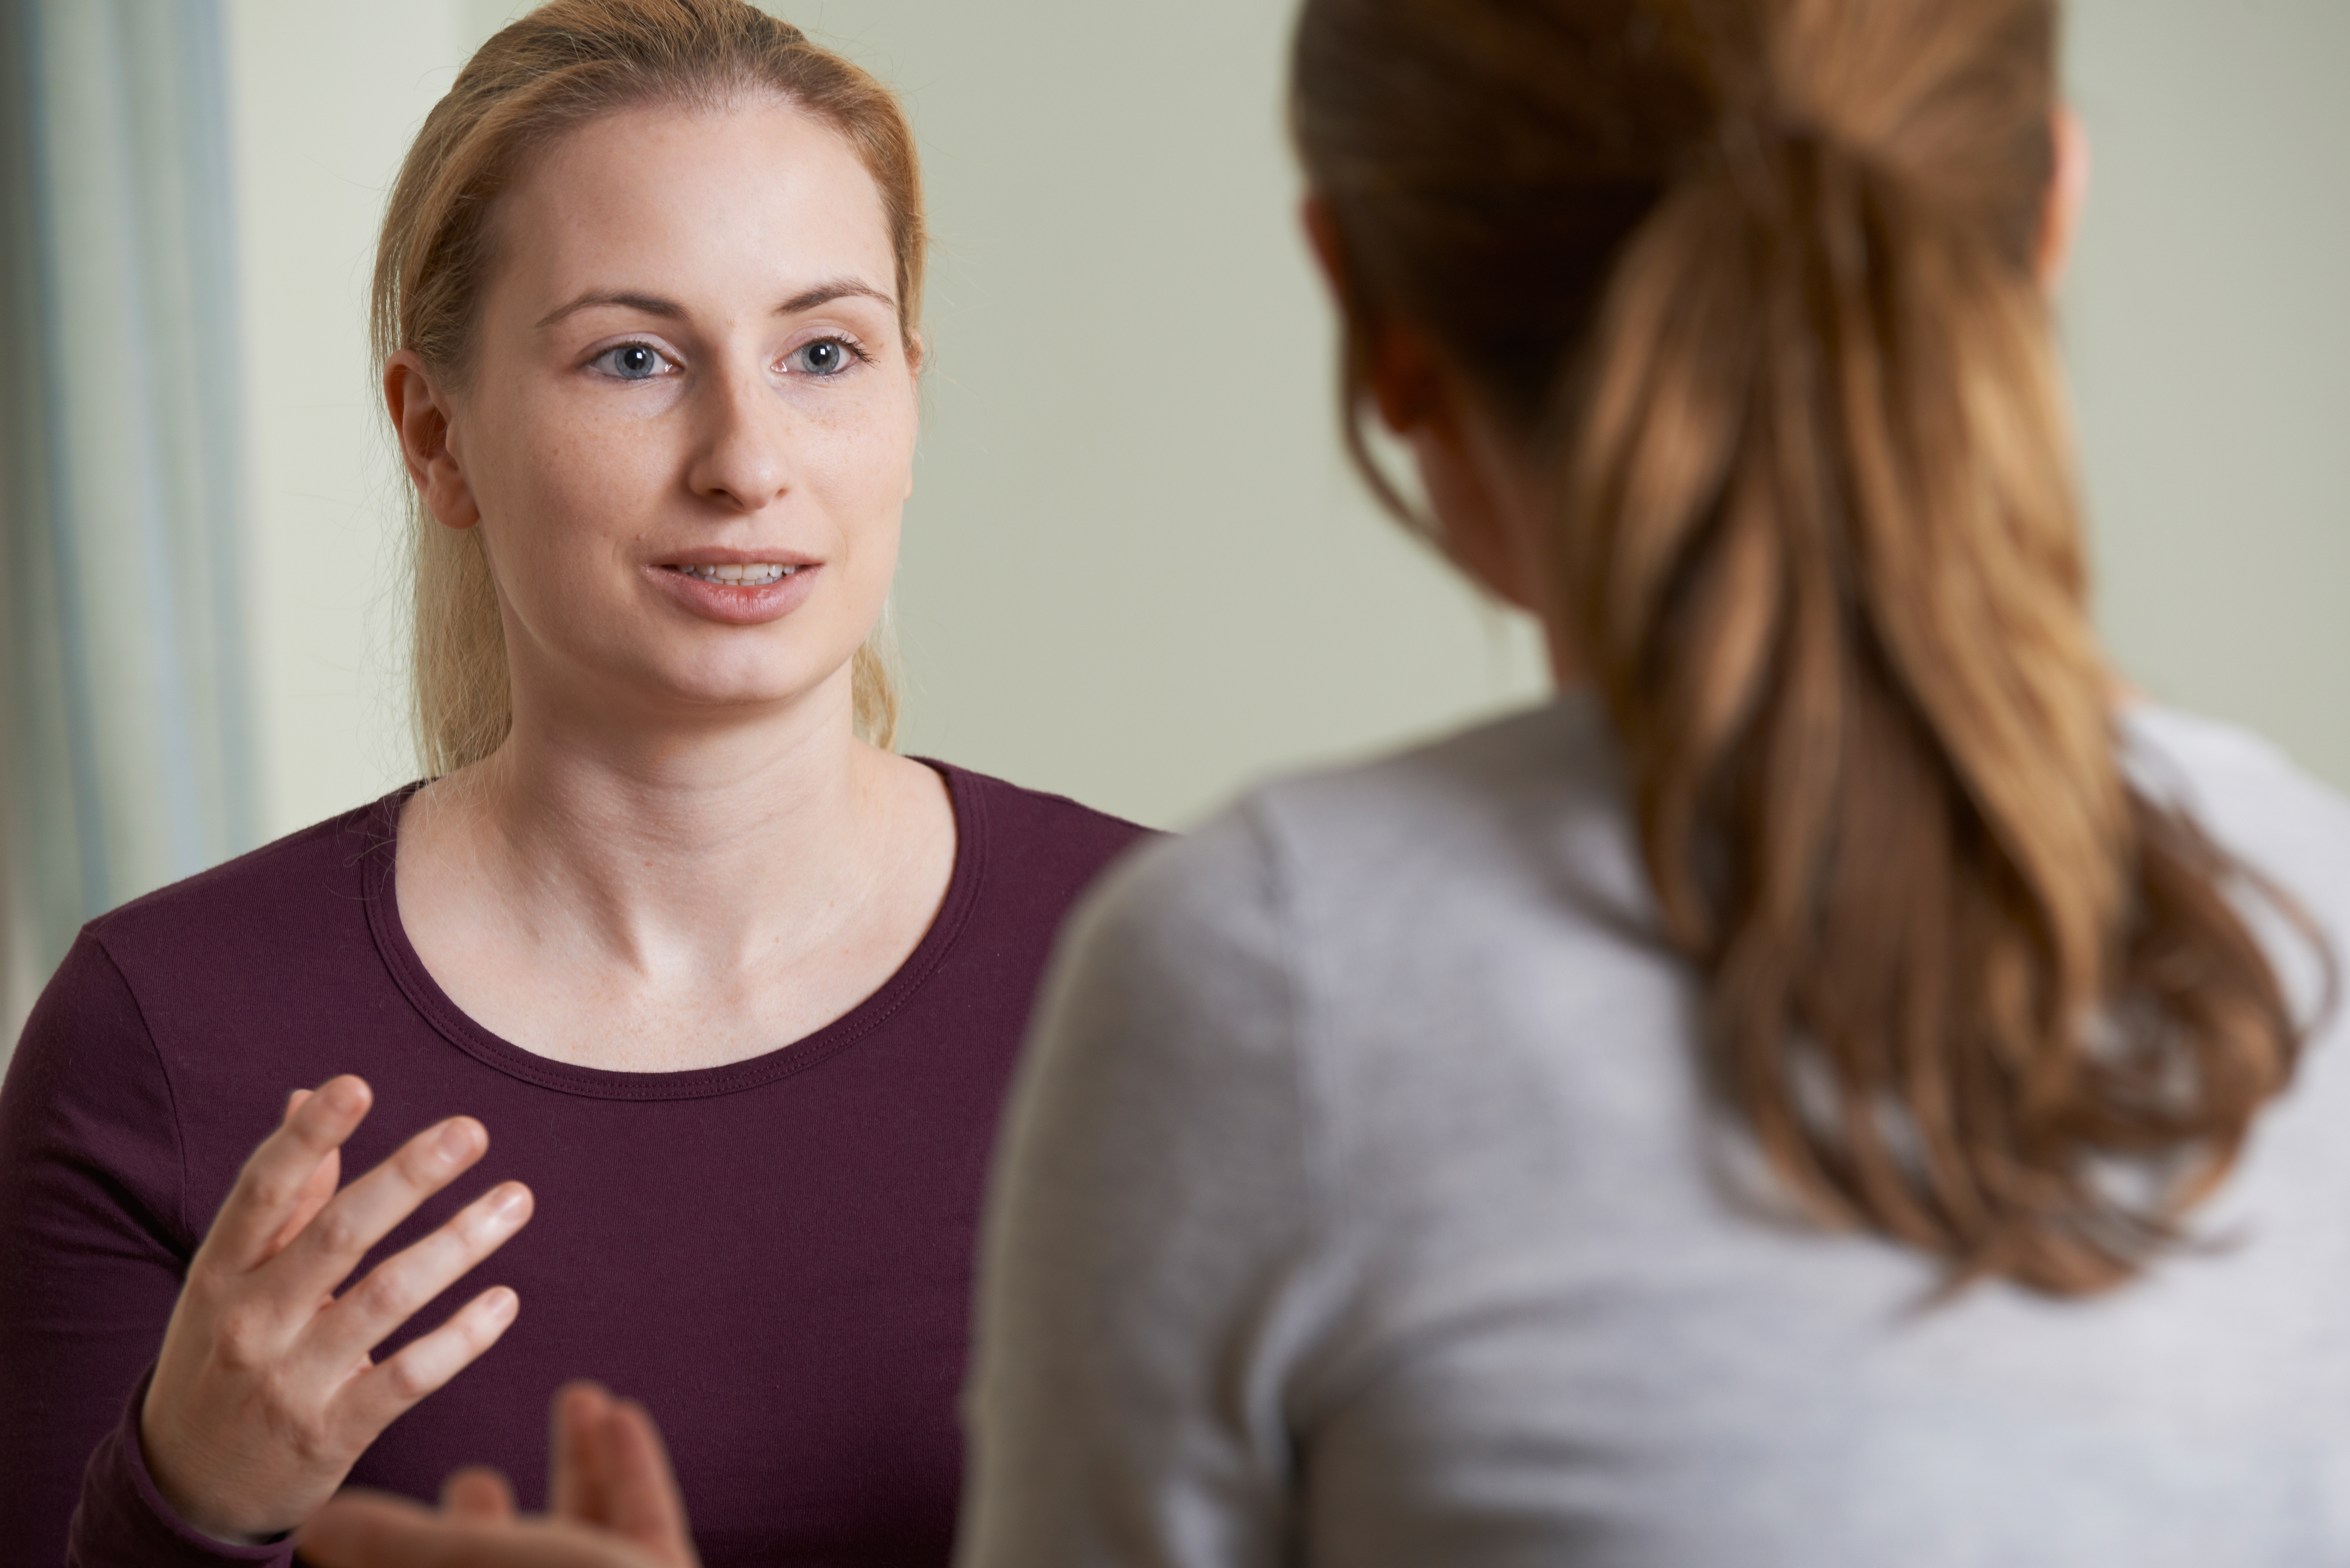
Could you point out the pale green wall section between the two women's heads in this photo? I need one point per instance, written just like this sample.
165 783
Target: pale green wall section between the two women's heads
1136 565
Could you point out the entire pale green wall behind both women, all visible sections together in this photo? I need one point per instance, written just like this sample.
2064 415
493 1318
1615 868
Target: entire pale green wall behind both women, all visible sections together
1136 568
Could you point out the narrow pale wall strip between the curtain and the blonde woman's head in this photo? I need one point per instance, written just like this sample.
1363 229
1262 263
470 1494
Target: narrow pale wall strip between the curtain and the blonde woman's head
323 102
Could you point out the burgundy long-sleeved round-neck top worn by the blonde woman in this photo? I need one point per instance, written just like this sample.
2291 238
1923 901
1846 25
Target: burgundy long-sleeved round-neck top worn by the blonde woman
774 1257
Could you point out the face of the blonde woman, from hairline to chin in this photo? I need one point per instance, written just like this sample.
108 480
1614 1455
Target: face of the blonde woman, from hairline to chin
690 424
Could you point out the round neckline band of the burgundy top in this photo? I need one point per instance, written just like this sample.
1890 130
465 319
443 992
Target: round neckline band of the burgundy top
788 1059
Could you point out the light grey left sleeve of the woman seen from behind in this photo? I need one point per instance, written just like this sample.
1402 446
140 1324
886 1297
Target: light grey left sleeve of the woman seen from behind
1148 1266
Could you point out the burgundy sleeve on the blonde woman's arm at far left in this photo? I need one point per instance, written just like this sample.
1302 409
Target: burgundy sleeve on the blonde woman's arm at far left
93 1254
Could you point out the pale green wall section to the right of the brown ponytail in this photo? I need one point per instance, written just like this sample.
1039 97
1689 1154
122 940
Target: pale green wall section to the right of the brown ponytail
2210 337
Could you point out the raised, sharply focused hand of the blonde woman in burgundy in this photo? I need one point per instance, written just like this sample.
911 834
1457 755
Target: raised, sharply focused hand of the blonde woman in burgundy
267 1391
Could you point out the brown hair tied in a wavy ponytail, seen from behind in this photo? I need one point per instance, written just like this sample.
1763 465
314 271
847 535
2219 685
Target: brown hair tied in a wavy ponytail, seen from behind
1759 283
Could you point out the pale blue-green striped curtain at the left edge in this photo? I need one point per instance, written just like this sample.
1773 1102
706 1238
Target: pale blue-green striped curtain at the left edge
126 697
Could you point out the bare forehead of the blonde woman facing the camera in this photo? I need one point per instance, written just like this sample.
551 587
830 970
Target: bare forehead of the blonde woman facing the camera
753 196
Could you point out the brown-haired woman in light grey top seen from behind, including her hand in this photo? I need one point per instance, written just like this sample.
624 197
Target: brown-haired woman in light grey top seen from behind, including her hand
1839 1085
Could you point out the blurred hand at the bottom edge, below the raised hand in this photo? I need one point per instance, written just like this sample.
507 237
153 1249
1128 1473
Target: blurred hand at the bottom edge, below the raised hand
612 1503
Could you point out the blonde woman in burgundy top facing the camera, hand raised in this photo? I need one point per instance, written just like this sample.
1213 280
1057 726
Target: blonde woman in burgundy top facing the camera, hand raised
734 986
